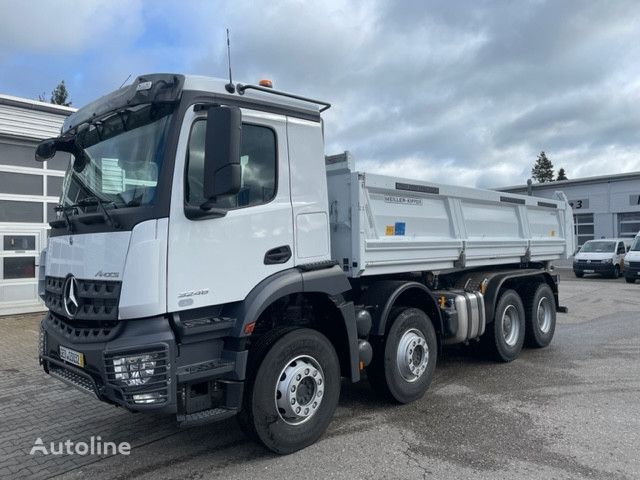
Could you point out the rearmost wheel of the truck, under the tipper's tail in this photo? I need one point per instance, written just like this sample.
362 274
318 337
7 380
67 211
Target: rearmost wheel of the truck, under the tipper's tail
540 317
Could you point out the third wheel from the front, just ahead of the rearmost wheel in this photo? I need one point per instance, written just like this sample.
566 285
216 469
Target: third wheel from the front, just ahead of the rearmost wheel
505 335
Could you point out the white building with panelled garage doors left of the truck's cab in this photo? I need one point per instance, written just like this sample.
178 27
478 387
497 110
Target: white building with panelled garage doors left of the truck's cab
28 193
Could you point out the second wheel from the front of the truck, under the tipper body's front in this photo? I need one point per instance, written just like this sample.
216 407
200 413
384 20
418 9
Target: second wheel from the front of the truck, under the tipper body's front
405 359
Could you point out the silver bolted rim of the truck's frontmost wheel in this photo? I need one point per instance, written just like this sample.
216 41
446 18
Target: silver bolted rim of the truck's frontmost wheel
299 390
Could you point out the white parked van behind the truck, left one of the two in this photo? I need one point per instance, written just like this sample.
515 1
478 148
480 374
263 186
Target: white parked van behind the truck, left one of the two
604 256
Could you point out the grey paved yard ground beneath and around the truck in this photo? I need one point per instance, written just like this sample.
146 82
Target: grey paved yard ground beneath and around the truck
568 411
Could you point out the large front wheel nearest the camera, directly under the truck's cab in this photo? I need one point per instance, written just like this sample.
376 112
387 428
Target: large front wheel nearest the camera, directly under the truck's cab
300 358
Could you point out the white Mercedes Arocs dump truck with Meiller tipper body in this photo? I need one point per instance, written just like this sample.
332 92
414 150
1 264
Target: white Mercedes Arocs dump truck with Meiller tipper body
208 260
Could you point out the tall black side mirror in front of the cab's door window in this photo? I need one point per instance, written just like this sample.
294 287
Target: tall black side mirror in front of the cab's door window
222 170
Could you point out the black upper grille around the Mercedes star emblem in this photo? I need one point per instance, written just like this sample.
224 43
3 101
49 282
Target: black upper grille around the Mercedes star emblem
97 299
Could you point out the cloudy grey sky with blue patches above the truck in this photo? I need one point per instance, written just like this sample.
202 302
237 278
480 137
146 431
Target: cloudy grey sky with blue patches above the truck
464 92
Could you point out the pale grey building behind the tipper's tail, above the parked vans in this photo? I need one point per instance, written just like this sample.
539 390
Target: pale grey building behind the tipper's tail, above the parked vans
603 207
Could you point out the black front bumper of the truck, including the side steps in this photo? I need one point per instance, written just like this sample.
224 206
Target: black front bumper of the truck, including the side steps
179 367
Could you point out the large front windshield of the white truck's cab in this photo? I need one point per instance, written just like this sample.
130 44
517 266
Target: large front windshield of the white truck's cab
119 157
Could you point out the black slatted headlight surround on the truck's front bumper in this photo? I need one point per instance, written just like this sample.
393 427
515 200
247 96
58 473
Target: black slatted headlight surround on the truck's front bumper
155 387
